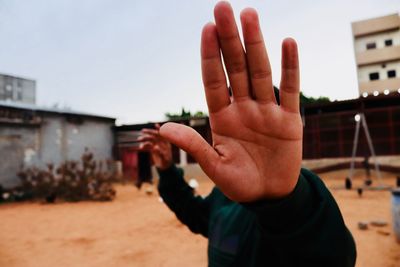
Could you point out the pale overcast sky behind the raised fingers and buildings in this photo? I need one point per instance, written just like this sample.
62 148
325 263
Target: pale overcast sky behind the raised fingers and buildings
135 60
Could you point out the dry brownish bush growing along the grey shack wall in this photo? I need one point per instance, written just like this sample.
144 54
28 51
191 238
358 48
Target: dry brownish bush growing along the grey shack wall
71 181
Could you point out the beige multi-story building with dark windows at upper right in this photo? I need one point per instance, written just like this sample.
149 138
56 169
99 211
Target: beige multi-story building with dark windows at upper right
377 52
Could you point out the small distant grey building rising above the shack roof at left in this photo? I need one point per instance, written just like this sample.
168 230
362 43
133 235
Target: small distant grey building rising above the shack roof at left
16 89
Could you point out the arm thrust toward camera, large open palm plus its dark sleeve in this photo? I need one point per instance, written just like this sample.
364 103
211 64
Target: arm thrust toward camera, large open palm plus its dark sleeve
257 143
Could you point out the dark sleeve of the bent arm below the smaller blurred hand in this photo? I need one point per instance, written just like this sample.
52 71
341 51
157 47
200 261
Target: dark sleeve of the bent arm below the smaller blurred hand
191 210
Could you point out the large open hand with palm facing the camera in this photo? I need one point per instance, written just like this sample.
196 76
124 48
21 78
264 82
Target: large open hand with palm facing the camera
257 144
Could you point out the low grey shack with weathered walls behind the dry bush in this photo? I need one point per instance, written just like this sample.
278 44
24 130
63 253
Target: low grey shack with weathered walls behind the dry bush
35 136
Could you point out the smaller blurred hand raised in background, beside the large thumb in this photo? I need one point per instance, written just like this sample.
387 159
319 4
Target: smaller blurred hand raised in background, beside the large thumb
159 148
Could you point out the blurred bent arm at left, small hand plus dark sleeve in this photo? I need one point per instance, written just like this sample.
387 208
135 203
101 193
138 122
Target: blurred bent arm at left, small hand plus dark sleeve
191 210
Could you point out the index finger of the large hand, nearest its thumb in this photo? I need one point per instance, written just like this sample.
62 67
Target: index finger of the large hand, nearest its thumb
214 79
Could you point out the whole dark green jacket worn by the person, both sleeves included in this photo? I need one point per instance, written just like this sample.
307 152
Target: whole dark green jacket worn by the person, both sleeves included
304 229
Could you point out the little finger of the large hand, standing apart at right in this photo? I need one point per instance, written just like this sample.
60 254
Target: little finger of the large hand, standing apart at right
290 79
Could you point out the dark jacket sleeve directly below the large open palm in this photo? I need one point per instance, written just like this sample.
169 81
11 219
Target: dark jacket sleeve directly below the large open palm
306 228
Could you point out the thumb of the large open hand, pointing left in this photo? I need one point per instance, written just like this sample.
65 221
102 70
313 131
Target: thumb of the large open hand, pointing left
191 141
